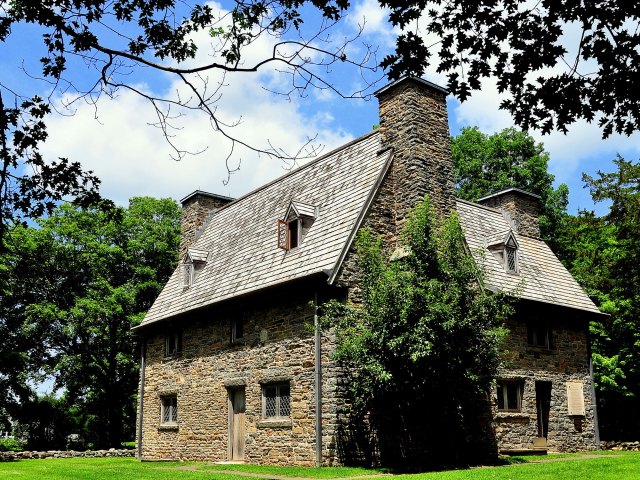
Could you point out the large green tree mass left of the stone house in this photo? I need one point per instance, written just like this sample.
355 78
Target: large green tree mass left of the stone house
75 287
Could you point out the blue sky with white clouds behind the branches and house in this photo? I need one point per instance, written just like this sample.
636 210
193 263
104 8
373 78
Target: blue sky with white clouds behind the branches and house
115 139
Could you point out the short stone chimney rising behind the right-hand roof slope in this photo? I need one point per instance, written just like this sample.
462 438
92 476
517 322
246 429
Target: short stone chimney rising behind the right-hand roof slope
520 208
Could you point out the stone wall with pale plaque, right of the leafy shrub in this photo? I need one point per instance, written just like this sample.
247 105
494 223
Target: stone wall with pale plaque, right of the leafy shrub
566 360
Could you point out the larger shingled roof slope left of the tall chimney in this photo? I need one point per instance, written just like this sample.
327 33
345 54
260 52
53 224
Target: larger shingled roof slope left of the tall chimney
241 237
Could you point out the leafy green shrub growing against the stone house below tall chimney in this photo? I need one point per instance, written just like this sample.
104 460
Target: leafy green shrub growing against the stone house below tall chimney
425 338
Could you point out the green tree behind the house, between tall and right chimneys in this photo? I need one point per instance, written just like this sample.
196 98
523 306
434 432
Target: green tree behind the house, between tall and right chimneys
486 164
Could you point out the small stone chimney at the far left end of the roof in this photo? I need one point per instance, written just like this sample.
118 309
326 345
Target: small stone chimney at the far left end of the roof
196 208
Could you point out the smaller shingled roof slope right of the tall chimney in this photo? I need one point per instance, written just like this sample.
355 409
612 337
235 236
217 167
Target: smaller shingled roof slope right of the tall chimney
541 276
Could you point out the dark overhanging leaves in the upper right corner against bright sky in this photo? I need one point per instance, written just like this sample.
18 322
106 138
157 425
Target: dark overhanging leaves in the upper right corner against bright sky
521 45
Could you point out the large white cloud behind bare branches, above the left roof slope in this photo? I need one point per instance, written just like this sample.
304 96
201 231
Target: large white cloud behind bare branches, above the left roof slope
132 158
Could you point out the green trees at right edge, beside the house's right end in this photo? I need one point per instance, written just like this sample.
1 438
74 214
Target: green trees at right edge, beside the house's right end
604 254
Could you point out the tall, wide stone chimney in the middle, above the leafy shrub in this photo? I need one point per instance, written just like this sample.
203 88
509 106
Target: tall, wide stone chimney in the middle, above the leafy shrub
413 121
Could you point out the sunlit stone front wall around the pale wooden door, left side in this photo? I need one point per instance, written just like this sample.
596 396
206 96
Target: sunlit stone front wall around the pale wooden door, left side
278 346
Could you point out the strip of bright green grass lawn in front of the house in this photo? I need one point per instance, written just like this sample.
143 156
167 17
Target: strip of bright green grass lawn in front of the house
614 466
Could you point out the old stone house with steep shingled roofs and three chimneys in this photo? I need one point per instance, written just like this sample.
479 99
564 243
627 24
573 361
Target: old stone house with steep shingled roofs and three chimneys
231 370
